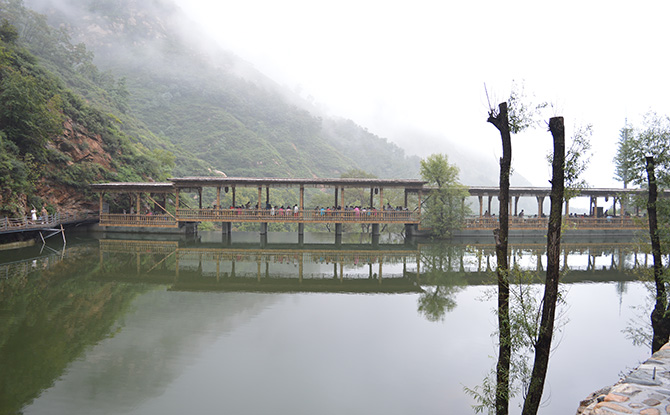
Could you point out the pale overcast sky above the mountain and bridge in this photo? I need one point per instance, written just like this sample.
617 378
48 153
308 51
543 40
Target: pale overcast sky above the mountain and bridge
409 71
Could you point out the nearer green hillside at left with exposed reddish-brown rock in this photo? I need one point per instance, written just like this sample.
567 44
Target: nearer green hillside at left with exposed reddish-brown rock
53 142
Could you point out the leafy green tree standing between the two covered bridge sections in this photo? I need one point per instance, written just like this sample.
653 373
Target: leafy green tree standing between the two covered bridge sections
444 207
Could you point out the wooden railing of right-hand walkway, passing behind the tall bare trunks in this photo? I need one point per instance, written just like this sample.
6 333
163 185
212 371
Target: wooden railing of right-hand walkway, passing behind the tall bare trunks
572 222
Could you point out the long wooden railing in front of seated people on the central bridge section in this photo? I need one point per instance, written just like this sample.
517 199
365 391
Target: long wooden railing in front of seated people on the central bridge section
265 215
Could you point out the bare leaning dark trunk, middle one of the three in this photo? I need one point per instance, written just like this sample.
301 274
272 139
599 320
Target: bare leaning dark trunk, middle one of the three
543 343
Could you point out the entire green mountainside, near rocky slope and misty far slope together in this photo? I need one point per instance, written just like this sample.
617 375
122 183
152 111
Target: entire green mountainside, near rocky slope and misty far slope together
114 90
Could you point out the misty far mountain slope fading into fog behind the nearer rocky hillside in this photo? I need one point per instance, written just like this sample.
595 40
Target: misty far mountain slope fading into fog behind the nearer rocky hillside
211 103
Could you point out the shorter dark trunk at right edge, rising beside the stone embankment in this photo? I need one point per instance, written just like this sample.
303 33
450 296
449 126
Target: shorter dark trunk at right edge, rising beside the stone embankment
659 323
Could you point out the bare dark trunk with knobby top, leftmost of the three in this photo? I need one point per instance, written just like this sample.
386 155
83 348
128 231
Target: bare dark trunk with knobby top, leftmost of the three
501 122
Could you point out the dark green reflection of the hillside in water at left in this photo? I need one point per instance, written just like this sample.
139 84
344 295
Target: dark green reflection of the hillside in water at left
55 313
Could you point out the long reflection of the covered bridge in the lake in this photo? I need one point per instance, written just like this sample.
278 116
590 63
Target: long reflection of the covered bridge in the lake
355 268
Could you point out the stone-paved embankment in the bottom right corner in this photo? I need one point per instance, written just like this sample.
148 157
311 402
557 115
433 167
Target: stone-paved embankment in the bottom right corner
645 391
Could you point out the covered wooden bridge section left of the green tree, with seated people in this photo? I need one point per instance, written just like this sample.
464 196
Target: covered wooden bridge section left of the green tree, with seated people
171 215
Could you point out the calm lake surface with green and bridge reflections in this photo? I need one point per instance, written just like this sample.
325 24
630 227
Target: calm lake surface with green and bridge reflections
130 326
